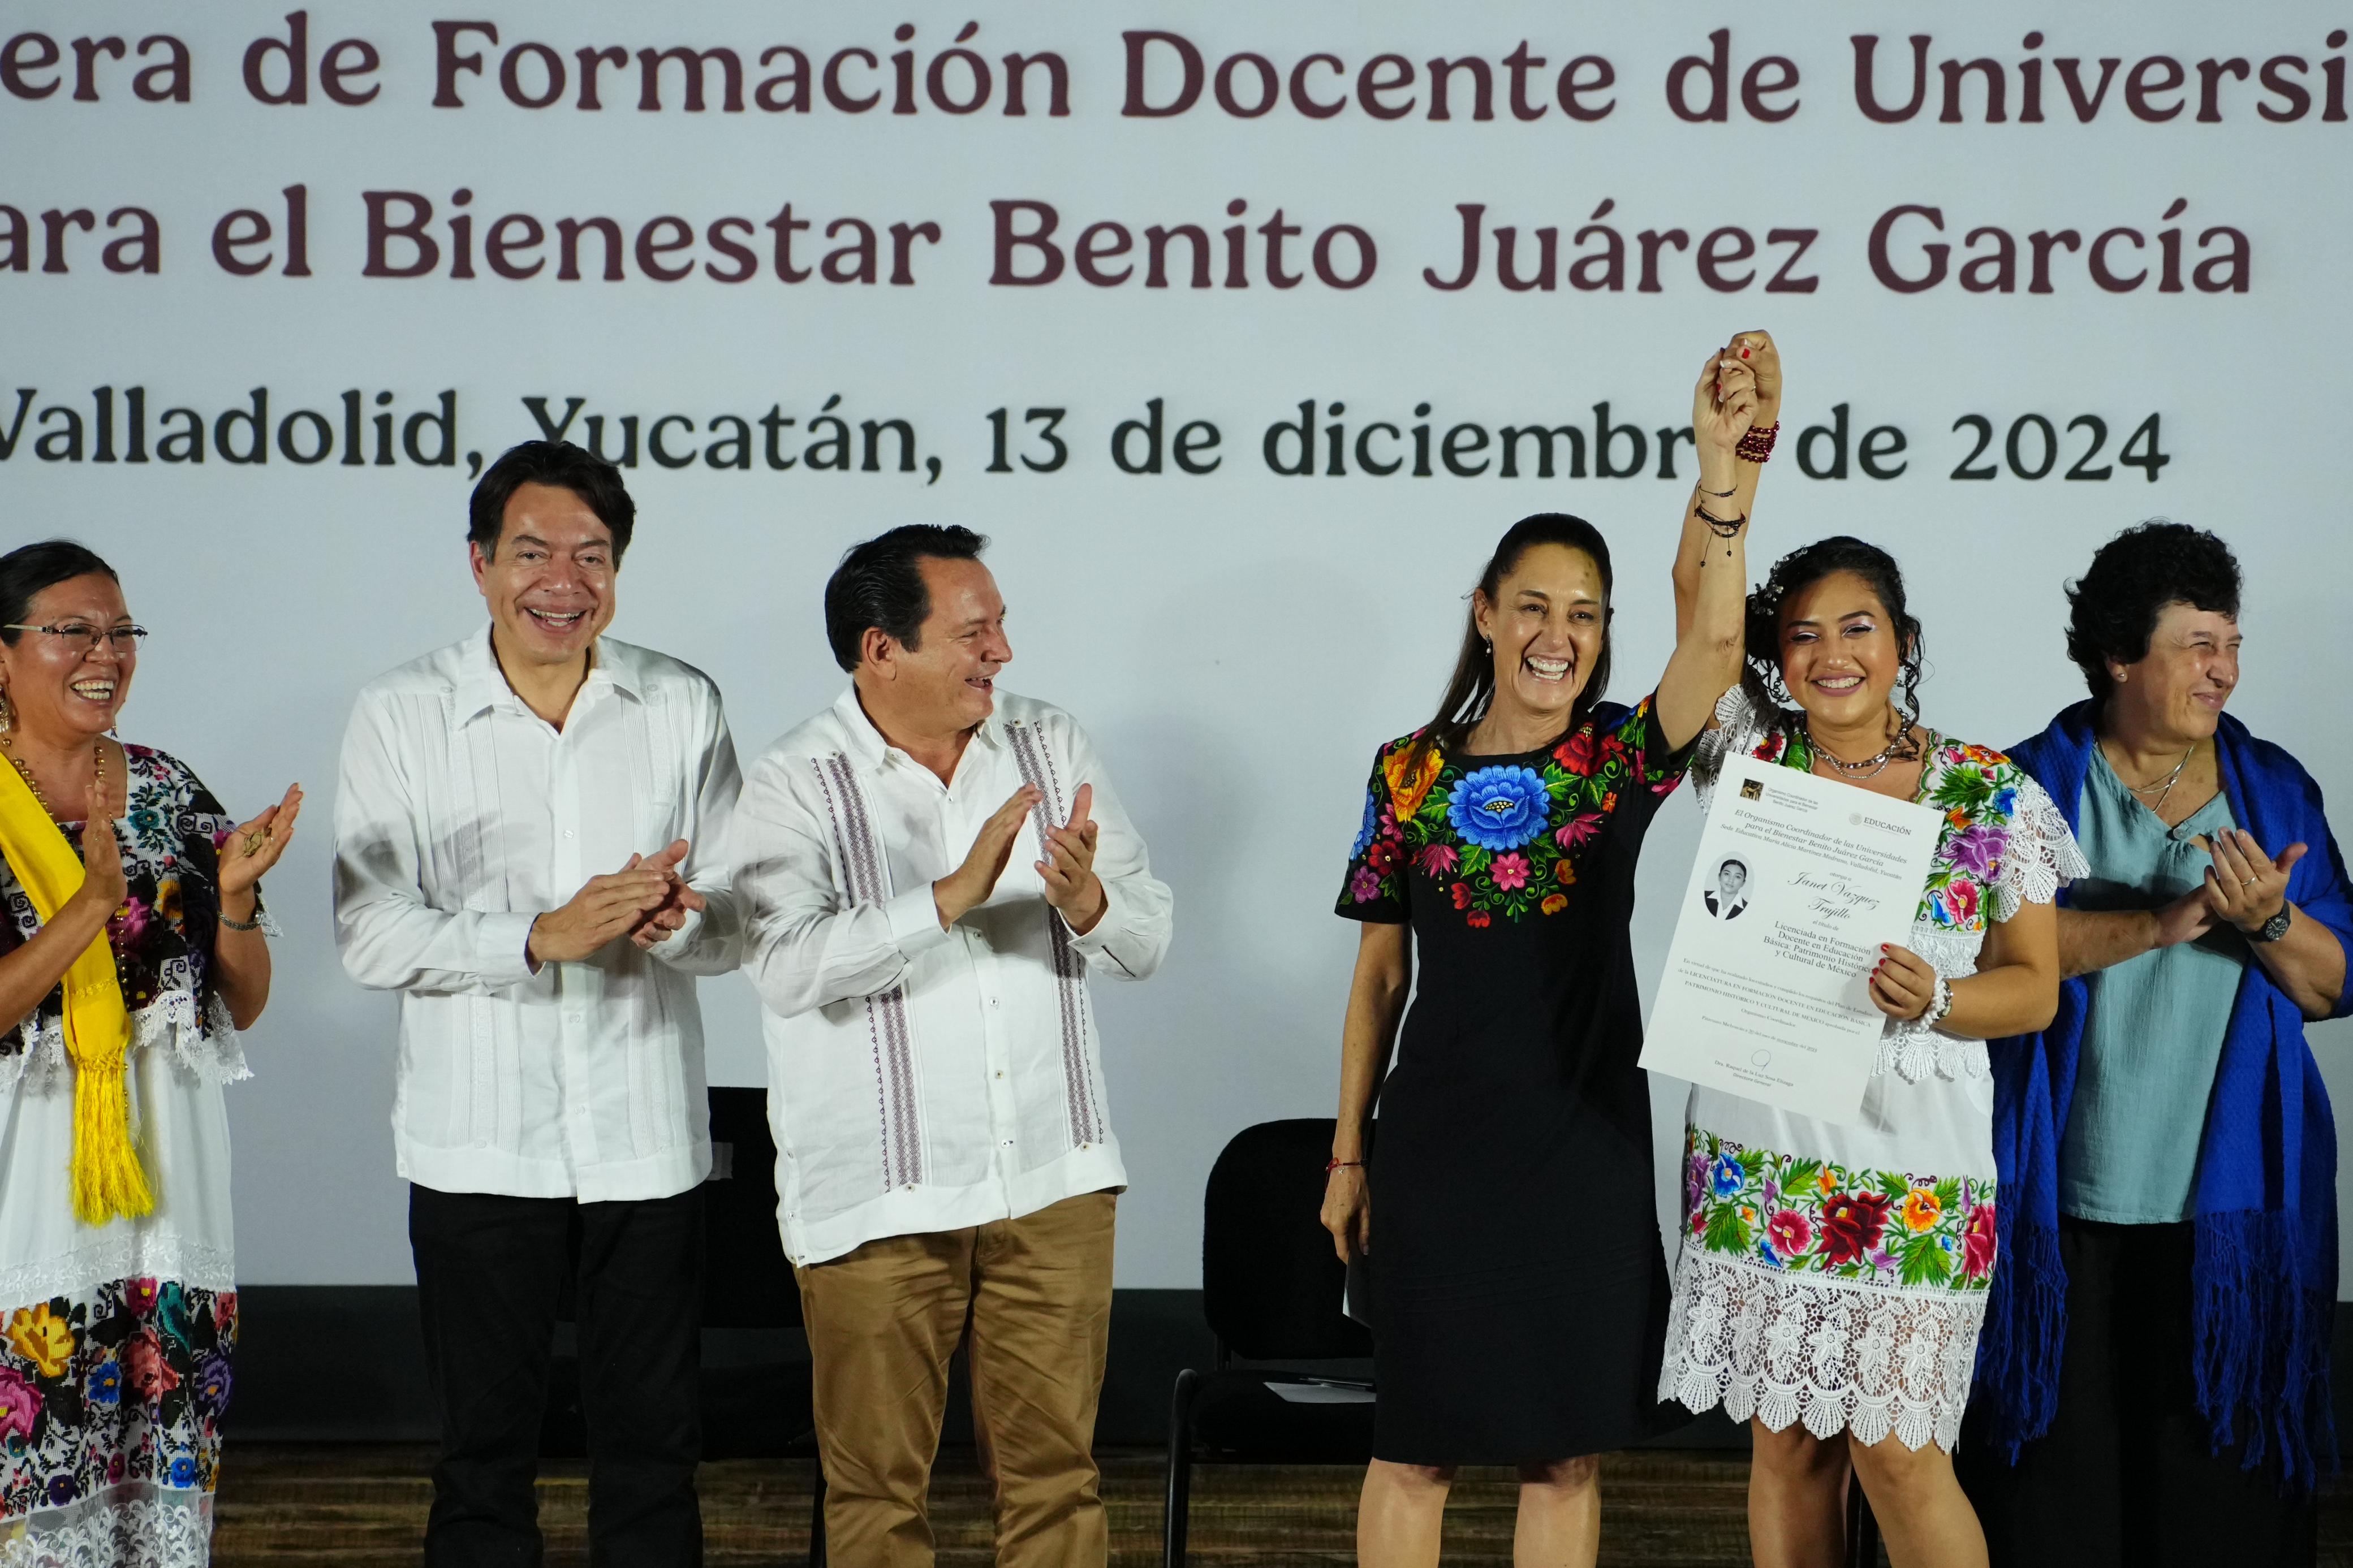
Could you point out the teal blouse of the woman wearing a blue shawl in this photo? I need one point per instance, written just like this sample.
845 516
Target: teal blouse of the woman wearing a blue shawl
2154 1026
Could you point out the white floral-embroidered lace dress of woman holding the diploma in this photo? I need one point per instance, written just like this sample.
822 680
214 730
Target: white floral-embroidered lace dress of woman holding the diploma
1837 1273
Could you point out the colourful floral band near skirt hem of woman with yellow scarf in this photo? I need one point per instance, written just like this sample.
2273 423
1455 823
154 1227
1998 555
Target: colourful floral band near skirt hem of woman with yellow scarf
124 1383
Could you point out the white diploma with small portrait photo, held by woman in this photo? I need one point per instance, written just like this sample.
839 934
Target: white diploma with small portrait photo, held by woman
1768 984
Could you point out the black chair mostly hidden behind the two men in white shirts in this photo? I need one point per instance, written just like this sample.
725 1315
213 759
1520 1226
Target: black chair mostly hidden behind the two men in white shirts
749 1412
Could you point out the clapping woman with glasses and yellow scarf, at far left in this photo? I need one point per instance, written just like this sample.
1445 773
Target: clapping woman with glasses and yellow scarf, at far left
114 1336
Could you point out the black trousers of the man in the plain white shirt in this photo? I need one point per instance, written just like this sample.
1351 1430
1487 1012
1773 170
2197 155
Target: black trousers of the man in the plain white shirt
488 1280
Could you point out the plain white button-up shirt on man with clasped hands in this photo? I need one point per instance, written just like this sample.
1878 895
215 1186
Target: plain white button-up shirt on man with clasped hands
460 819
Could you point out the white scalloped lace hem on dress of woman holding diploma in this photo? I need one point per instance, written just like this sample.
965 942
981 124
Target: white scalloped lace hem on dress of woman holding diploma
1785 1348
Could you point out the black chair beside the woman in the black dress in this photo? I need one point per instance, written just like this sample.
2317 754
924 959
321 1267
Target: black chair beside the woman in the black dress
1272 1292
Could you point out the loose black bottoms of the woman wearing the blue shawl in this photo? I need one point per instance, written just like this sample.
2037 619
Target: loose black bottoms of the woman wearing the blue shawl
2128 1470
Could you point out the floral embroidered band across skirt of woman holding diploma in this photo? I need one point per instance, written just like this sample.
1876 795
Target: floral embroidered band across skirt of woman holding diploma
1811 1217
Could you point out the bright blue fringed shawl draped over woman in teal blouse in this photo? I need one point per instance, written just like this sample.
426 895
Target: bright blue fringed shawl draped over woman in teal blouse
2265 1198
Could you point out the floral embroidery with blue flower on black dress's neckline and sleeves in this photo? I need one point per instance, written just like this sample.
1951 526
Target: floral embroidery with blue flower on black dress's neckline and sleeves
1500 838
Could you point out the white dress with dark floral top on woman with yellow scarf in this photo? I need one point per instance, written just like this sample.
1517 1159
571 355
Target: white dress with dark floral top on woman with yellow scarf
116 1341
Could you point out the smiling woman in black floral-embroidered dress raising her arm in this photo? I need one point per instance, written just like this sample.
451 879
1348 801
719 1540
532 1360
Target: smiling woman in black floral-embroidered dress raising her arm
1517 1285
